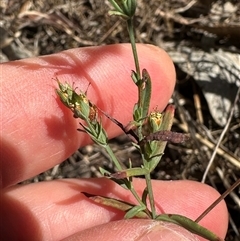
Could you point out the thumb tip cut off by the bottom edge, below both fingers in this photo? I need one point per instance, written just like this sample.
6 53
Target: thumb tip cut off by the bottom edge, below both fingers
135 229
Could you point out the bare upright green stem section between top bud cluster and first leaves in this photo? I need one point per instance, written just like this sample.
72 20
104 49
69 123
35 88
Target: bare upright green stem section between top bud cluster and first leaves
133 44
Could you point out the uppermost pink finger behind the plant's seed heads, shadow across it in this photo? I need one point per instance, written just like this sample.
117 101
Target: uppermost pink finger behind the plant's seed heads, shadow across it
39 132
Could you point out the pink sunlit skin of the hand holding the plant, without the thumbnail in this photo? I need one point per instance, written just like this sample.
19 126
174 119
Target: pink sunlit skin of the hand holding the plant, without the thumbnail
38 132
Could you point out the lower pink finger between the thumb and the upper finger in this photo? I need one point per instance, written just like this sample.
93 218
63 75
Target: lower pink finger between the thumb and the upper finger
57 209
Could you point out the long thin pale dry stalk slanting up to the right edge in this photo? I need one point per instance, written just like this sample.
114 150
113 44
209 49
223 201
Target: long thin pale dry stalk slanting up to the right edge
221 137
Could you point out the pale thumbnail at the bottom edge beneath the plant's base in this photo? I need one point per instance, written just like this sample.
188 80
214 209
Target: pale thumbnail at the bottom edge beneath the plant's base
166 231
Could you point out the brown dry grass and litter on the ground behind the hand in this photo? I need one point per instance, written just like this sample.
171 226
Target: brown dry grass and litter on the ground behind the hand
33 28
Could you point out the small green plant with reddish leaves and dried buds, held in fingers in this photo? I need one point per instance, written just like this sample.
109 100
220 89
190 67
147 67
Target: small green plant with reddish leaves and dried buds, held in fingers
150 143
